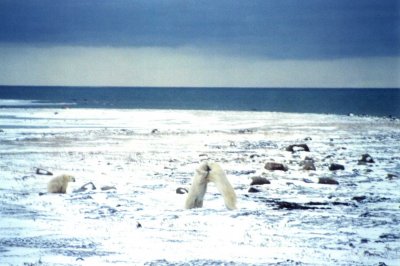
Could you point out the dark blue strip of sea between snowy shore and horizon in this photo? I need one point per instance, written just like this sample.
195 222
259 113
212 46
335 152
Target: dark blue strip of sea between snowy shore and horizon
380 102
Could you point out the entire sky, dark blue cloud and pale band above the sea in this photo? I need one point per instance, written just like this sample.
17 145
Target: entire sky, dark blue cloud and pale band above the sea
197 43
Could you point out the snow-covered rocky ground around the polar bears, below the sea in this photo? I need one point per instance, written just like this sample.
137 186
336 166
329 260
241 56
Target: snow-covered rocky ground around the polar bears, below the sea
147 154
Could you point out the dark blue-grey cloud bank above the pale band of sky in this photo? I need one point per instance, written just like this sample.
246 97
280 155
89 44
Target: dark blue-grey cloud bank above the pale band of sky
281 29
